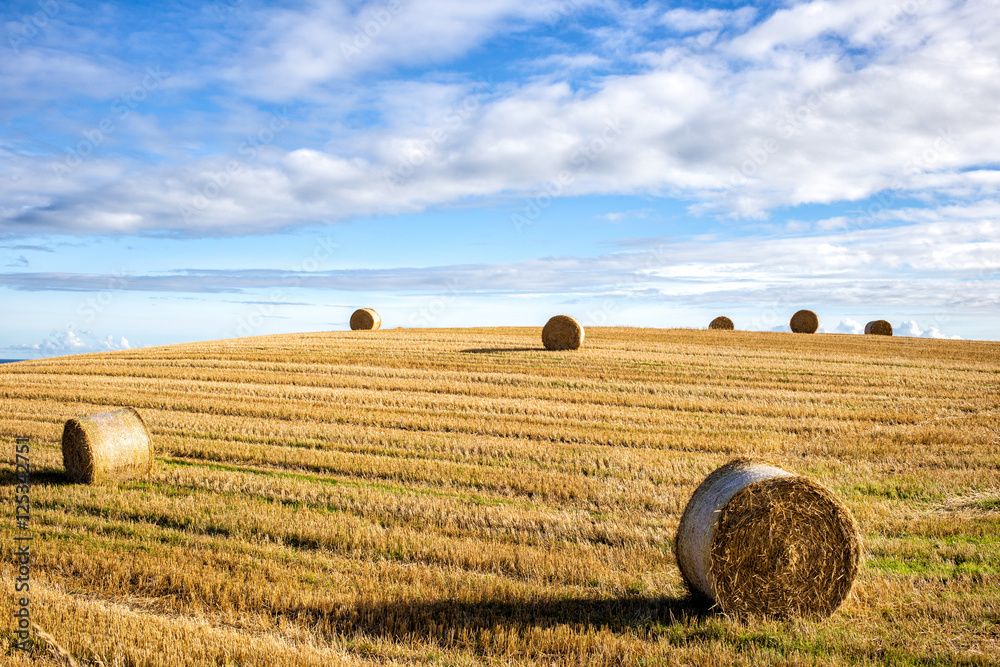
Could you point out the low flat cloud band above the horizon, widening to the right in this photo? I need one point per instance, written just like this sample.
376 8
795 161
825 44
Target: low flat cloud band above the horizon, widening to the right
912 266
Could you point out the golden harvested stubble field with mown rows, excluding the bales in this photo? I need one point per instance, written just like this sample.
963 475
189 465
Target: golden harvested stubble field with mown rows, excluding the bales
464 497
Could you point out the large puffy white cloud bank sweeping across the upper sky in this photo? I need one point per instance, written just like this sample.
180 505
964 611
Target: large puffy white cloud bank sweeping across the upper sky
819 102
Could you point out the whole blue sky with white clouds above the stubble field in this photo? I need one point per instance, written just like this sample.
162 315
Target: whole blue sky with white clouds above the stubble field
191 171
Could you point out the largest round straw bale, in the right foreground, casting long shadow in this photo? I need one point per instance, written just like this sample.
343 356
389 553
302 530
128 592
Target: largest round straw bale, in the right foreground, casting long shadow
759 540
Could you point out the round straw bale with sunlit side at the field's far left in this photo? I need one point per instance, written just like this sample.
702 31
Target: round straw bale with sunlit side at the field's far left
106 447
